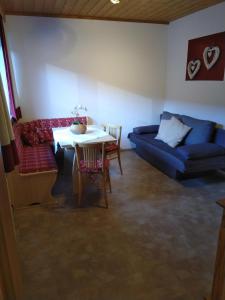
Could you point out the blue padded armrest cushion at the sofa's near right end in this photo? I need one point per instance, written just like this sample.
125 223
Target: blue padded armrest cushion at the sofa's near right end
199 151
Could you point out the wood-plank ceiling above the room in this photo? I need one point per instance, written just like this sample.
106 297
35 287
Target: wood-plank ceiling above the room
151 11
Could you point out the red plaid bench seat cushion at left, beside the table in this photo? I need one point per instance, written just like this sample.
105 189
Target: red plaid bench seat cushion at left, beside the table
37 159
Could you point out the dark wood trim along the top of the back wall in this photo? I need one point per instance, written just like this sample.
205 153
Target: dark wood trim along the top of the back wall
66 16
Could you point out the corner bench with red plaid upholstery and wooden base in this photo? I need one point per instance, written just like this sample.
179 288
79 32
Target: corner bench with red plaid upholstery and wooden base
37 169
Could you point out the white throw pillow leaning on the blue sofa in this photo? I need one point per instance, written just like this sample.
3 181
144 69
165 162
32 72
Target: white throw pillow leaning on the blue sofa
172 131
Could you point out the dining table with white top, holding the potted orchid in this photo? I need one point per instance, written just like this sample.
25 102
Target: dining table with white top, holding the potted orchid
66 139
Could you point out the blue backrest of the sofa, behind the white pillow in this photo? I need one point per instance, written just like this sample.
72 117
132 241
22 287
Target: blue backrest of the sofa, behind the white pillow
201 130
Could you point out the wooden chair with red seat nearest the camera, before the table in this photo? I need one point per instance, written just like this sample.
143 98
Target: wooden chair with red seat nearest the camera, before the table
91 161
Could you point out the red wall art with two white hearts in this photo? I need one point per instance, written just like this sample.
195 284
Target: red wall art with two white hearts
206 58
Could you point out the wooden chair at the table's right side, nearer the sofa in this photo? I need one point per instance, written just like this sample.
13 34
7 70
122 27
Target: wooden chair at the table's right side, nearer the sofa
112 150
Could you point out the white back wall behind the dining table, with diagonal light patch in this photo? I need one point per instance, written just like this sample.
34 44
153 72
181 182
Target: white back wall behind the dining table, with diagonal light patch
116 69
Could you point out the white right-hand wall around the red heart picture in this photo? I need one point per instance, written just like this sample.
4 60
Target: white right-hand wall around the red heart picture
202 99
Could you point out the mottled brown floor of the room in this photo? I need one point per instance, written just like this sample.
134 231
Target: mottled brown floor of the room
157 240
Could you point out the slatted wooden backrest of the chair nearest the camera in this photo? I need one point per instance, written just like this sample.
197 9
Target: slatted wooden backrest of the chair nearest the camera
90 155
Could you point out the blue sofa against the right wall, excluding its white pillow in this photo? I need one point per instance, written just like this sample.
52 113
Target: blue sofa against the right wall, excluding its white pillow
202 150
